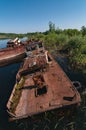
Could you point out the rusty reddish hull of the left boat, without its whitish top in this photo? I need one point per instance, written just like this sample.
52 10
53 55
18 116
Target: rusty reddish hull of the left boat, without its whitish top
11 55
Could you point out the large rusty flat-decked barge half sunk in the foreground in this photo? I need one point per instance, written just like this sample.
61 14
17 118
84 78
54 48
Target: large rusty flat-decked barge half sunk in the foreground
41 85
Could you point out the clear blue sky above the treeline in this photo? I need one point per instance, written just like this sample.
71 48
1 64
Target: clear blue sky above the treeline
22 16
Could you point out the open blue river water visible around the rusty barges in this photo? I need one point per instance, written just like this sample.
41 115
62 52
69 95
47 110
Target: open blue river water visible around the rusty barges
7 81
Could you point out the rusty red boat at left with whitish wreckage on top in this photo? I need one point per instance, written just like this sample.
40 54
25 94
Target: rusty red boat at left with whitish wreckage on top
15 51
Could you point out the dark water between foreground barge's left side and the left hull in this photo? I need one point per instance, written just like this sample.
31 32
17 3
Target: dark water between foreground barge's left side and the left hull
7 81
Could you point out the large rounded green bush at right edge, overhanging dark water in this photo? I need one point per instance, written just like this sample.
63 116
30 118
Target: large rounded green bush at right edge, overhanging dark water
76 49
